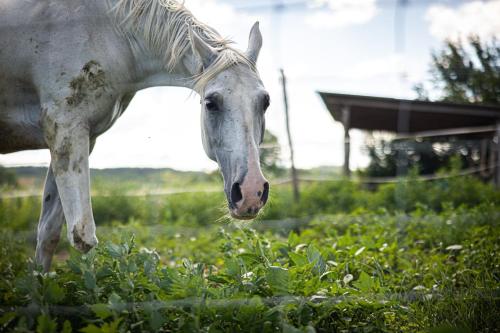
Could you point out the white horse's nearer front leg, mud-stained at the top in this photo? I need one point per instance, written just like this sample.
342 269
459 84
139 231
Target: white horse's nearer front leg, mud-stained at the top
70 147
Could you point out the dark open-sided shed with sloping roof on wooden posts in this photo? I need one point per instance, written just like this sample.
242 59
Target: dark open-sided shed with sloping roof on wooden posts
412 118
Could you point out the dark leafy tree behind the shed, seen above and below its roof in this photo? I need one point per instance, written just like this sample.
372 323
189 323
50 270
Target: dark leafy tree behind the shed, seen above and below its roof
462 73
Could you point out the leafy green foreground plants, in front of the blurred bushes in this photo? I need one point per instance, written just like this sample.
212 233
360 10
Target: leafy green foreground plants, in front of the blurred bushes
390 272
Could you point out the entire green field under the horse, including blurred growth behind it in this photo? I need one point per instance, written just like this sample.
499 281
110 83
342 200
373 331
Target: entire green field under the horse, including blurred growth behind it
406 257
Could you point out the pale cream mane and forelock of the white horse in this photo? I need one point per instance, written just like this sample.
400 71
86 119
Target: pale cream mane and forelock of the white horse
168 27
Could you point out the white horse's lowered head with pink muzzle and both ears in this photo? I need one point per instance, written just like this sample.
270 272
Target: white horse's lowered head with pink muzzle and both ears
234 102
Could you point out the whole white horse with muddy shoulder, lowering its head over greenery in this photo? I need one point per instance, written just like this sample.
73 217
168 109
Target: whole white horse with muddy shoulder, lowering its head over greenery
68 70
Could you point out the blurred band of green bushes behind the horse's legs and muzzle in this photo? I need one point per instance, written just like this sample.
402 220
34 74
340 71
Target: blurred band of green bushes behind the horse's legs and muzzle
202 209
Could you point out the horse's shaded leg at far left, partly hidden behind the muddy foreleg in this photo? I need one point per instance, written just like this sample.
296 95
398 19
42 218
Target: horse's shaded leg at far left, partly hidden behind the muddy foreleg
50 224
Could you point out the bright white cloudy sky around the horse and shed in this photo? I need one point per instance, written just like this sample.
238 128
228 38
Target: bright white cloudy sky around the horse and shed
346 46
